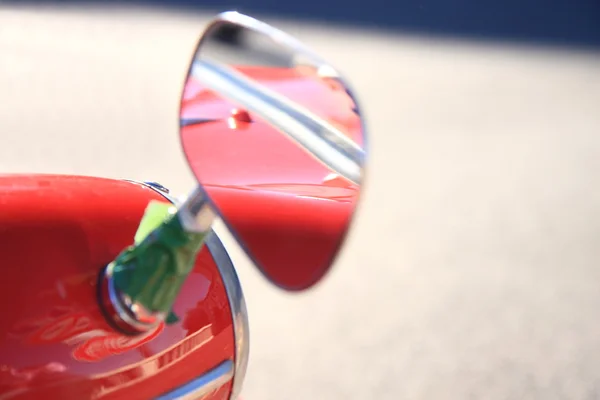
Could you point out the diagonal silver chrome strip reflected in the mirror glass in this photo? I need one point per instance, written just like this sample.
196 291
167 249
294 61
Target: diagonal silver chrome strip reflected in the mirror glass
325 142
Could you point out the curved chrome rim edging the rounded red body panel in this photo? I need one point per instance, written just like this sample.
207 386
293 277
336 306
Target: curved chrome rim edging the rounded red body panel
235 296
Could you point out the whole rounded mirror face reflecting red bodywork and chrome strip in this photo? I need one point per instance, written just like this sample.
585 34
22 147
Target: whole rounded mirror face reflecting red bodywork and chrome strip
274 136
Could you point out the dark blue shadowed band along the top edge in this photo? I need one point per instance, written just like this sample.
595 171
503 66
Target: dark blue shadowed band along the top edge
565 22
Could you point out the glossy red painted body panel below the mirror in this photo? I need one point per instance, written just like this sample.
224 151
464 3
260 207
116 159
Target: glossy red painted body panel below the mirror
56 234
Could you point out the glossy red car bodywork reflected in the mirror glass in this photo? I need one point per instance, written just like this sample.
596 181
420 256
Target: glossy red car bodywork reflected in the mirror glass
289 210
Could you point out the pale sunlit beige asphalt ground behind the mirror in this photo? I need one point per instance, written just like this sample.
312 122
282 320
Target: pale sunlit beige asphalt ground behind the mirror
473 271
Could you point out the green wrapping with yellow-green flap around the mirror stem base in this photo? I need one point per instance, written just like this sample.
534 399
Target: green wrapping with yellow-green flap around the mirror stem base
152 271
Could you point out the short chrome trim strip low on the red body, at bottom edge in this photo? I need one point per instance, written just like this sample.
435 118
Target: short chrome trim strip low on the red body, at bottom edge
204 384
